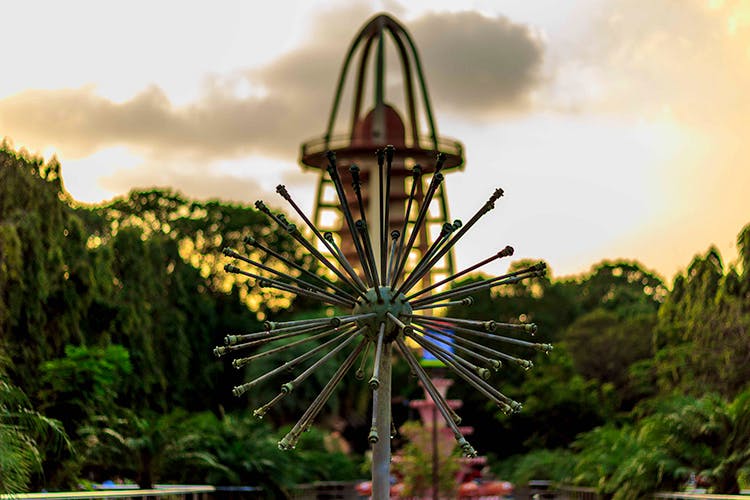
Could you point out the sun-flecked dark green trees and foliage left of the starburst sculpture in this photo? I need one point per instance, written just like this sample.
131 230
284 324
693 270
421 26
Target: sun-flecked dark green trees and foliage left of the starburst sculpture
108 318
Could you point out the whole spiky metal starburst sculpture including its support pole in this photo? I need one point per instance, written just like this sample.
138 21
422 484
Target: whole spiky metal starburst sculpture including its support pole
384 310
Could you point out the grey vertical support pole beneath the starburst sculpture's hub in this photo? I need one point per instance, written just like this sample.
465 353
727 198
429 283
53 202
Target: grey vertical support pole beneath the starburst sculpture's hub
381 450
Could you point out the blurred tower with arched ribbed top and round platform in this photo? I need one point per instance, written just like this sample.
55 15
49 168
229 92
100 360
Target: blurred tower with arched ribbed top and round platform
415 141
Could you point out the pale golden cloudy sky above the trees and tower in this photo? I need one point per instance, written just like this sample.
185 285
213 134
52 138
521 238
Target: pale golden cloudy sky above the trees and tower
618 129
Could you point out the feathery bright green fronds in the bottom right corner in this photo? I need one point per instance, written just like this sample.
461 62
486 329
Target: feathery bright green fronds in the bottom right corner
674 438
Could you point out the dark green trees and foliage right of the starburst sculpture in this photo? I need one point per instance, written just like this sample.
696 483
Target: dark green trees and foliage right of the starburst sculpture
647 389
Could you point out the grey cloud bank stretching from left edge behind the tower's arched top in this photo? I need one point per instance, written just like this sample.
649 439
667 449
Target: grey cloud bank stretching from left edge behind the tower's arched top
474 65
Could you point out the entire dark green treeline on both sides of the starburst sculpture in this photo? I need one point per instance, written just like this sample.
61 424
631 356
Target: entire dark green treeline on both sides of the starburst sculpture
109 314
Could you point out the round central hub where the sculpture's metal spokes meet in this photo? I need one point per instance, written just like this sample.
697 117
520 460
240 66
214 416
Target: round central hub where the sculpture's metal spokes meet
376 305
